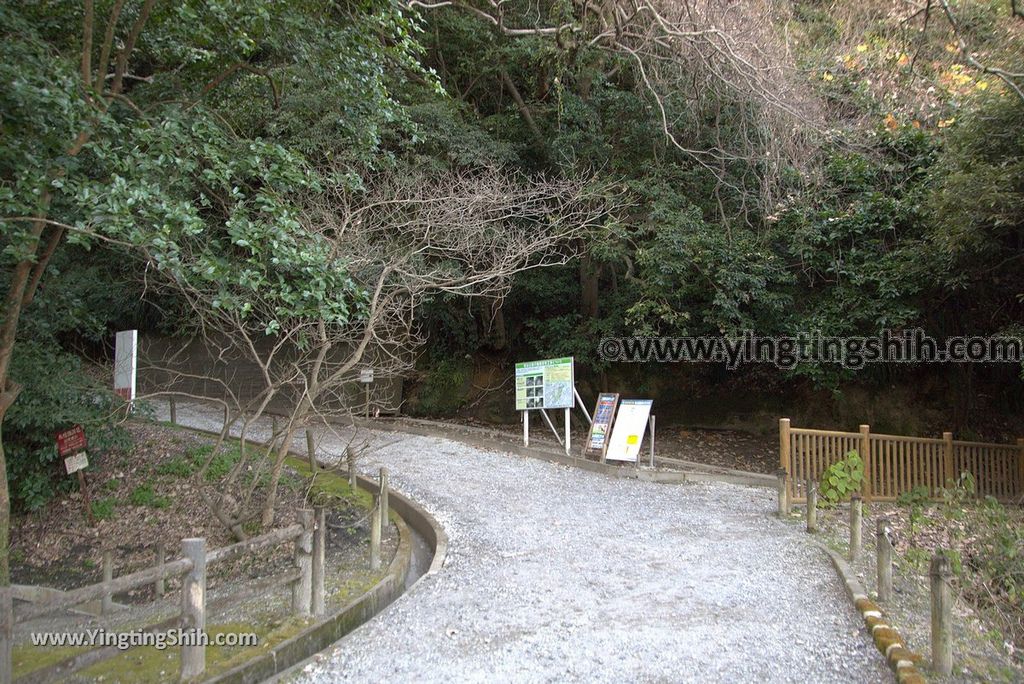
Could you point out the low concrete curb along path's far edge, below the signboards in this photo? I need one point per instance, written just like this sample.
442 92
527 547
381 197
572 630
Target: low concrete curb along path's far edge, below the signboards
497 441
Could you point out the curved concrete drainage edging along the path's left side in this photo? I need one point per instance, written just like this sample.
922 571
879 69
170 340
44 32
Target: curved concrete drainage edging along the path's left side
296 651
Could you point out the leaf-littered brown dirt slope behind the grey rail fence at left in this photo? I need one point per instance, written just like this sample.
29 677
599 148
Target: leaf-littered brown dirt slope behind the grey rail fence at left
152 494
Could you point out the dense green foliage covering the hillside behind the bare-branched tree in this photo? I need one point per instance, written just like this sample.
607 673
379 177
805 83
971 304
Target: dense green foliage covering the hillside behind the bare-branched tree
886 193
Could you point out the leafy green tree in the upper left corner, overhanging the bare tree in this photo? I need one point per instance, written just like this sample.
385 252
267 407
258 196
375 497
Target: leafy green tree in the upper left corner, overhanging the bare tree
117 131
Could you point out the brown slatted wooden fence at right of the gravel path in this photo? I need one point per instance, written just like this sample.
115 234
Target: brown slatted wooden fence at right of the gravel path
895 464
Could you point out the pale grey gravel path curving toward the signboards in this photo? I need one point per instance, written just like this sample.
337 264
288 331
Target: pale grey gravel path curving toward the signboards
556 574
